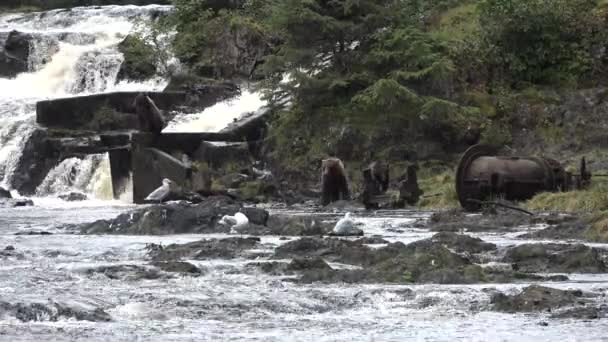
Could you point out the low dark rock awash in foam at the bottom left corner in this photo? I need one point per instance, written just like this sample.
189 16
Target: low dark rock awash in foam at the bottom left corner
54 311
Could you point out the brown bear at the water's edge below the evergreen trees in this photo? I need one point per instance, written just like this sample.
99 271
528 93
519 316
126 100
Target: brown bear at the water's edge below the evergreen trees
334 184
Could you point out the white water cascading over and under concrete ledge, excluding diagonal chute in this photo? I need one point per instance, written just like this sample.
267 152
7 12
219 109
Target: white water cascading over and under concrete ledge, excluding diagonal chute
72 53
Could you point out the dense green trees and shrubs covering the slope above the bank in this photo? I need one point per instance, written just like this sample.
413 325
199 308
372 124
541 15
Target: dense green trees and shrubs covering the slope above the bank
401 80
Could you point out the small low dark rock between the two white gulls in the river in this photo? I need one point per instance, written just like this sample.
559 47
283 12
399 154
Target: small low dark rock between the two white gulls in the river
291 225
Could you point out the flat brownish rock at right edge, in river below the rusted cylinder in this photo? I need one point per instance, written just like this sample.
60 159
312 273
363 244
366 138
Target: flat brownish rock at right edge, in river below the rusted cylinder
555 258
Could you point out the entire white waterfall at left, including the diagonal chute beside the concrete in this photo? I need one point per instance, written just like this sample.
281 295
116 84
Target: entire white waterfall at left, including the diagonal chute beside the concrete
74 53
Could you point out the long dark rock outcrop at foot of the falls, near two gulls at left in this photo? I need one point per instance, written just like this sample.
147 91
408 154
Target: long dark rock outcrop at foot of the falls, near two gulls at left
174 218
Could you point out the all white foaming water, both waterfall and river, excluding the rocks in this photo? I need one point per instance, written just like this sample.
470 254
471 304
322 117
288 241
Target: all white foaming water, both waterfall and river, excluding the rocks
45 262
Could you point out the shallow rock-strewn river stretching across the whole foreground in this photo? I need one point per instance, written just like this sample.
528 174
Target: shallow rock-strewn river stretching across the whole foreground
75 270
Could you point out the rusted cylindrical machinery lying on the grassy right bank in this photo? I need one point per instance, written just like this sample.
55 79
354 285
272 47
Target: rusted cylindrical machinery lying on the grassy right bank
481 176
